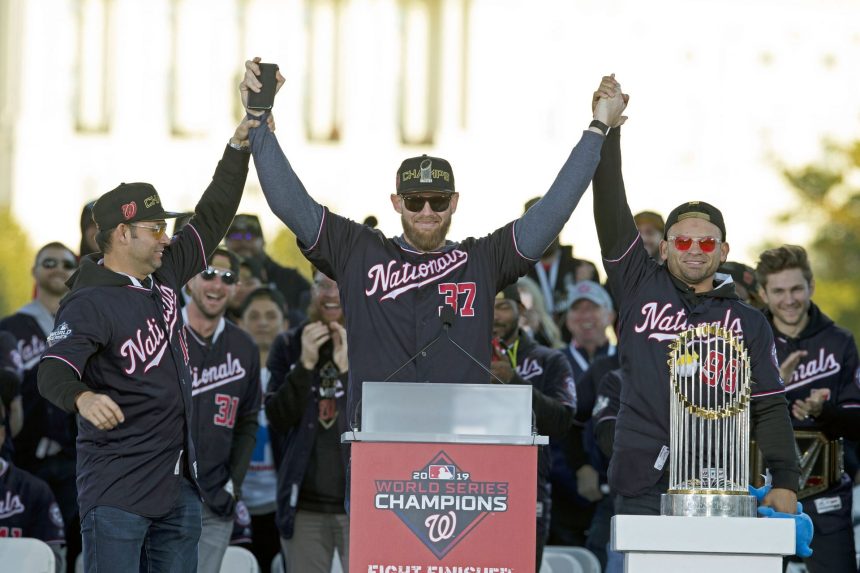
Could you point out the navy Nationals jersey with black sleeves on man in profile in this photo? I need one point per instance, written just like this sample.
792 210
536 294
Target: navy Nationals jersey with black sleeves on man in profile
127 340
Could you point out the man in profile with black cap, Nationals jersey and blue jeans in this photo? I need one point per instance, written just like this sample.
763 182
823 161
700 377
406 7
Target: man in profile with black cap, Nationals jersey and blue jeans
118 358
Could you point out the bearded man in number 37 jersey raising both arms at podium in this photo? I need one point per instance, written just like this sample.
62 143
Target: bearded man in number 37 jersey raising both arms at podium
394 288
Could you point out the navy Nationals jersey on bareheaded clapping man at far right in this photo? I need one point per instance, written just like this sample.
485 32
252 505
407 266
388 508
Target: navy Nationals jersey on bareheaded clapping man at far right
831 362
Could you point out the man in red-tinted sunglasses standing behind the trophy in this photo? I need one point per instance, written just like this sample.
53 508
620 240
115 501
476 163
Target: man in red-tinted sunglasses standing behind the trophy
655 304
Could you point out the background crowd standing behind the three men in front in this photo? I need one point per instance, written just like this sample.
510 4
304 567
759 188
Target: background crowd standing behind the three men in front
295 357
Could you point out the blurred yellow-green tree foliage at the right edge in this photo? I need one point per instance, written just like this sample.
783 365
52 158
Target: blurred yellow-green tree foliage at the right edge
829 193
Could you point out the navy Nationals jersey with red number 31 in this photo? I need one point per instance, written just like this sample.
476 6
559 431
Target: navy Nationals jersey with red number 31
225 387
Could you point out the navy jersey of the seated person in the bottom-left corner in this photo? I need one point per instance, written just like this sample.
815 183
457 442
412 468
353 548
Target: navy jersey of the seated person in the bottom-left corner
27 507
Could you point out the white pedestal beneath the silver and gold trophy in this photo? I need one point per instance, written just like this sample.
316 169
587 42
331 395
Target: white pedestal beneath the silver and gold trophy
657 544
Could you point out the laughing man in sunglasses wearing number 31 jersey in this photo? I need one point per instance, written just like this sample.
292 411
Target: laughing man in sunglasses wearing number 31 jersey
226 394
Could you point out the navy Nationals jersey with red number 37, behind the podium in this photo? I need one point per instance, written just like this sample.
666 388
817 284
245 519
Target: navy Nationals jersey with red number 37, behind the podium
392 297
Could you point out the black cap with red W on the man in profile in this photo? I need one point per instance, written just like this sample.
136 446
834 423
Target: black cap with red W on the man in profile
129 203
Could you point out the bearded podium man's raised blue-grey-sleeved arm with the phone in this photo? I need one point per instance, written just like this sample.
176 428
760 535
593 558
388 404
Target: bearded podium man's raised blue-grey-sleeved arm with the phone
284 192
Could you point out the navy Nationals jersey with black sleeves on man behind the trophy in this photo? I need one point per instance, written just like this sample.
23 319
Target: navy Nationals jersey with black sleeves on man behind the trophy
654 309
